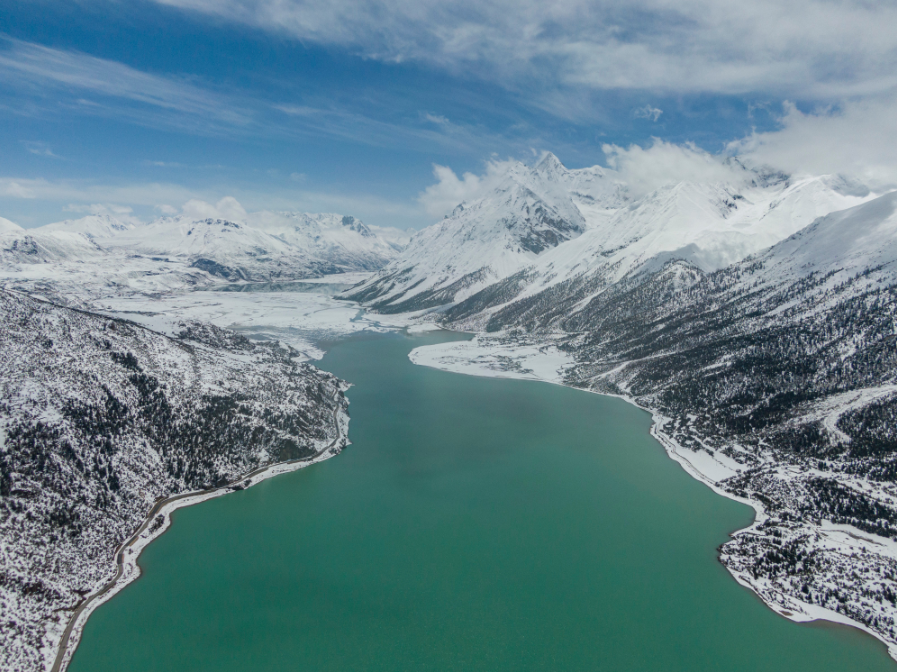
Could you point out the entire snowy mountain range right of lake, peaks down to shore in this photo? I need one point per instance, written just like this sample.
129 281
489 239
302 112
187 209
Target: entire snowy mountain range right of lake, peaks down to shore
756 318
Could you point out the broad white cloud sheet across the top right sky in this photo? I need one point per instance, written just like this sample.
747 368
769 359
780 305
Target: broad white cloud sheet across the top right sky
810 48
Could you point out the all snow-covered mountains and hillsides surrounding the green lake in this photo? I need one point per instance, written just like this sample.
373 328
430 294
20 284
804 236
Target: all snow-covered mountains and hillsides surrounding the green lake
754 316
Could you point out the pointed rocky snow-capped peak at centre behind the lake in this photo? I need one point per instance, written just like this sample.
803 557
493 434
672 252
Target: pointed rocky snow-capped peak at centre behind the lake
530 211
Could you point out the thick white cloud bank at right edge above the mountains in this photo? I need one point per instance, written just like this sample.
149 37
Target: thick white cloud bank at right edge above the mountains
857 138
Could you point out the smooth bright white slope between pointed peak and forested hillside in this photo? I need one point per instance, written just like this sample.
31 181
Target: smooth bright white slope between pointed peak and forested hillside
709 226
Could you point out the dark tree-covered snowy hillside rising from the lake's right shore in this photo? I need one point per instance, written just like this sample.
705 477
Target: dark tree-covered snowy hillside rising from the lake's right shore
773 379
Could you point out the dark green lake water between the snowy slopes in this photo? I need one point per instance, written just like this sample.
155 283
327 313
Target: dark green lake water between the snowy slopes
475 524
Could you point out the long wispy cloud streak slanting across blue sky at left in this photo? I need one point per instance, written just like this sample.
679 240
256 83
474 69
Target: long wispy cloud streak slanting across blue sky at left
53 79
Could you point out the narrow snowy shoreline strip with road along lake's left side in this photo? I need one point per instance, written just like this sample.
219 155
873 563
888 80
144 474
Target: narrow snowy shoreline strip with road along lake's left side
127 554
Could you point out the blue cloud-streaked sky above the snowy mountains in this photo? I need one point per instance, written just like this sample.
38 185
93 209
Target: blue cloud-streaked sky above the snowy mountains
380 108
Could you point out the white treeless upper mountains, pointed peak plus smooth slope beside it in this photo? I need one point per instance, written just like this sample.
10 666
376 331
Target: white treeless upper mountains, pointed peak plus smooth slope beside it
513 232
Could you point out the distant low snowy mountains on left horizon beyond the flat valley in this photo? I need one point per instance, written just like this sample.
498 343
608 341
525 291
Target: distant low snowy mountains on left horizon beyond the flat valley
126 255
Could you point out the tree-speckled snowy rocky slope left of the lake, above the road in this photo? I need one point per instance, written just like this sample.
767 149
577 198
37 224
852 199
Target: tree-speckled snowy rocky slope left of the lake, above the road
99 418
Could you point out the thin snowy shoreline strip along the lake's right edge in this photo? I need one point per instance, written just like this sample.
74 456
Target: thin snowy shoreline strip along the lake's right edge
811 613
